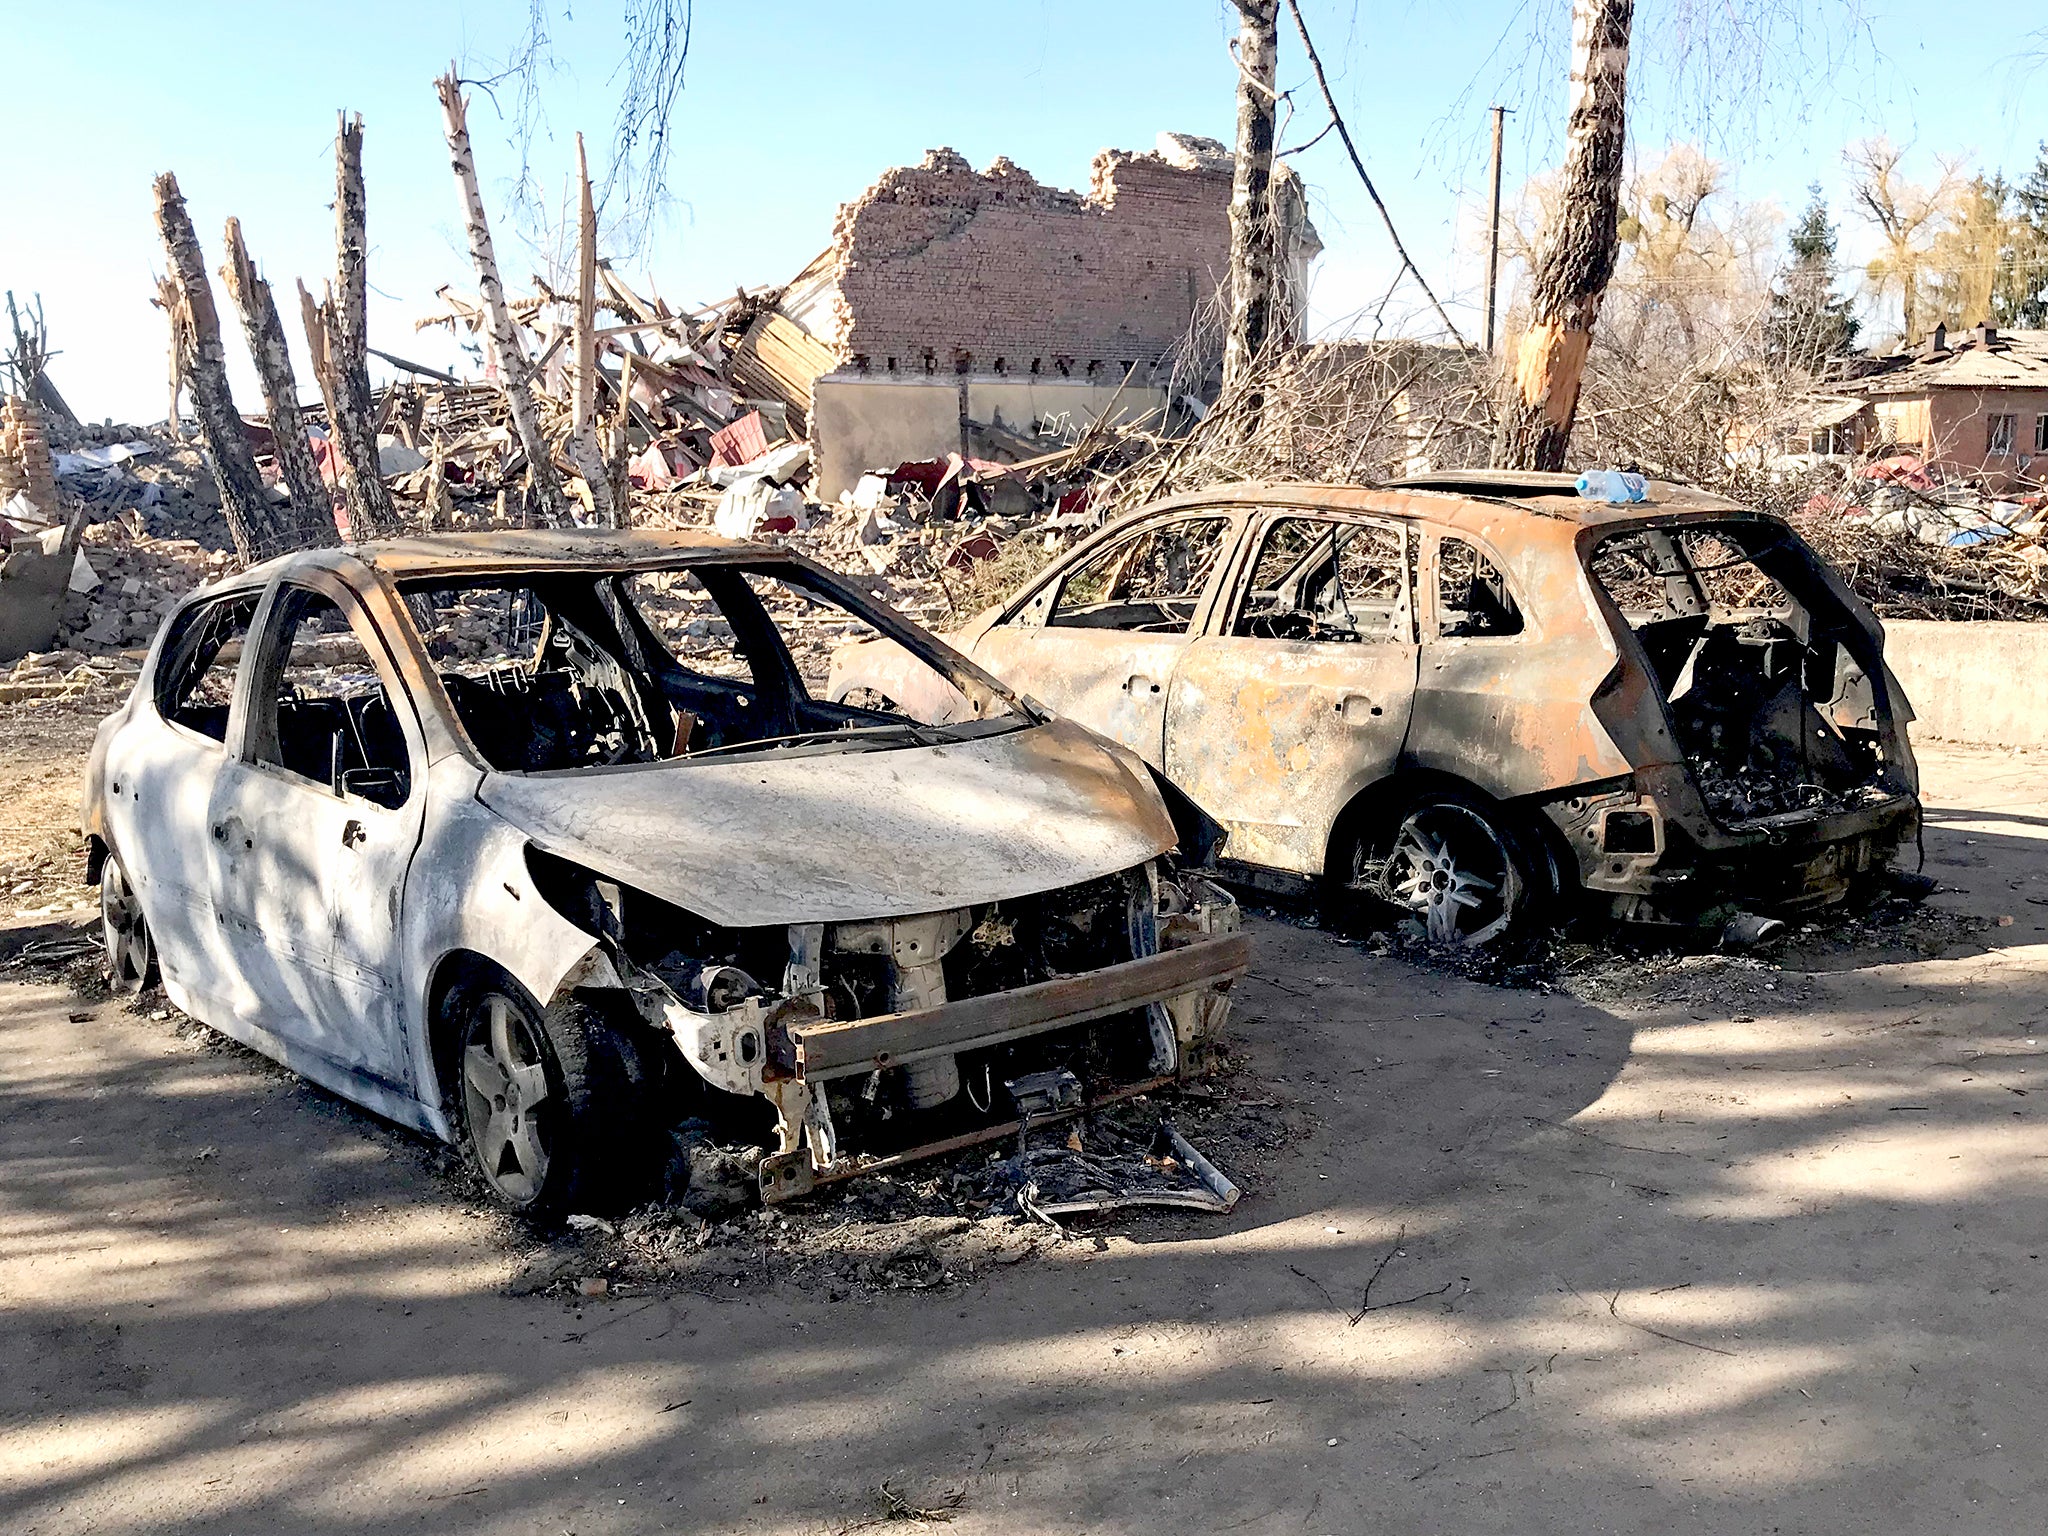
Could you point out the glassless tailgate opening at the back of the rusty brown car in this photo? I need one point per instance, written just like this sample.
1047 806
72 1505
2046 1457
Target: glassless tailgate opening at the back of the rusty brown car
1760 669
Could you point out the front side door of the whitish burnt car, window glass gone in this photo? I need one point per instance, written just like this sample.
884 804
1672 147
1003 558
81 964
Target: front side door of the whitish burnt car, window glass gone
314 822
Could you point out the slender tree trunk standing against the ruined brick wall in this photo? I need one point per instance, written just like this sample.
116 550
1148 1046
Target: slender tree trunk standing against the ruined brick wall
1254 228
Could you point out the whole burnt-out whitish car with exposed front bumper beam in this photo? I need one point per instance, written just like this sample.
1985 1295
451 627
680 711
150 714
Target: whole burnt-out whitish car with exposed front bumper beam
550 845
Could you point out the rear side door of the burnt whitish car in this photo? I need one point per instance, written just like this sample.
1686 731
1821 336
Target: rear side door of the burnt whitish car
161 775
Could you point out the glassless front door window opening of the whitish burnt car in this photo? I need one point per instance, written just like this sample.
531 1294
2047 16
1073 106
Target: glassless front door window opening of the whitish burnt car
323 710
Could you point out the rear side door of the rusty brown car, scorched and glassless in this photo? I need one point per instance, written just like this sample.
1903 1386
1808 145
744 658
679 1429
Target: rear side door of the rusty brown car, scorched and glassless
1304 689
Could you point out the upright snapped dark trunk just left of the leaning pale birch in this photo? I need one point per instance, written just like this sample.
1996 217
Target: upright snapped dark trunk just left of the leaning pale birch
351 415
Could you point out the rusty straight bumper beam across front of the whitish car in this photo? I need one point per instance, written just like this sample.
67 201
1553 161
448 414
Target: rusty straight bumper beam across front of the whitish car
855 1048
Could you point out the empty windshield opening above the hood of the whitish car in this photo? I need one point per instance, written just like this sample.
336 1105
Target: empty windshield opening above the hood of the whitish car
574 671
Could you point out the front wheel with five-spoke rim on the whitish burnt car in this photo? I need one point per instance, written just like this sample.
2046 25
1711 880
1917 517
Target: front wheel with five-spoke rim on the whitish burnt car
550 1107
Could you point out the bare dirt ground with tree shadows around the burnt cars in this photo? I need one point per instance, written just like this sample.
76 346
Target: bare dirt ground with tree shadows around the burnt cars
1648 1242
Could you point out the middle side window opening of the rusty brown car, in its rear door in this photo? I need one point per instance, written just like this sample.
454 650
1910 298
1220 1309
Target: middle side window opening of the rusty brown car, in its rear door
1330 583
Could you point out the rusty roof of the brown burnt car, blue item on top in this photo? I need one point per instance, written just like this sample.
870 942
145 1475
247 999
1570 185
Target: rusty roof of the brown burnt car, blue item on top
1469 499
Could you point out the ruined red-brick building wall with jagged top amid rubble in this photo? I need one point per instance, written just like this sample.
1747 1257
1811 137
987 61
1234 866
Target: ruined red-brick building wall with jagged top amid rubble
990 316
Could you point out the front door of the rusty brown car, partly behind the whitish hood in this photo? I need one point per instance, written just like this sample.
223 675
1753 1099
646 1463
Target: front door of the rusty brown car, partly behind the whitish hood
1101 638
